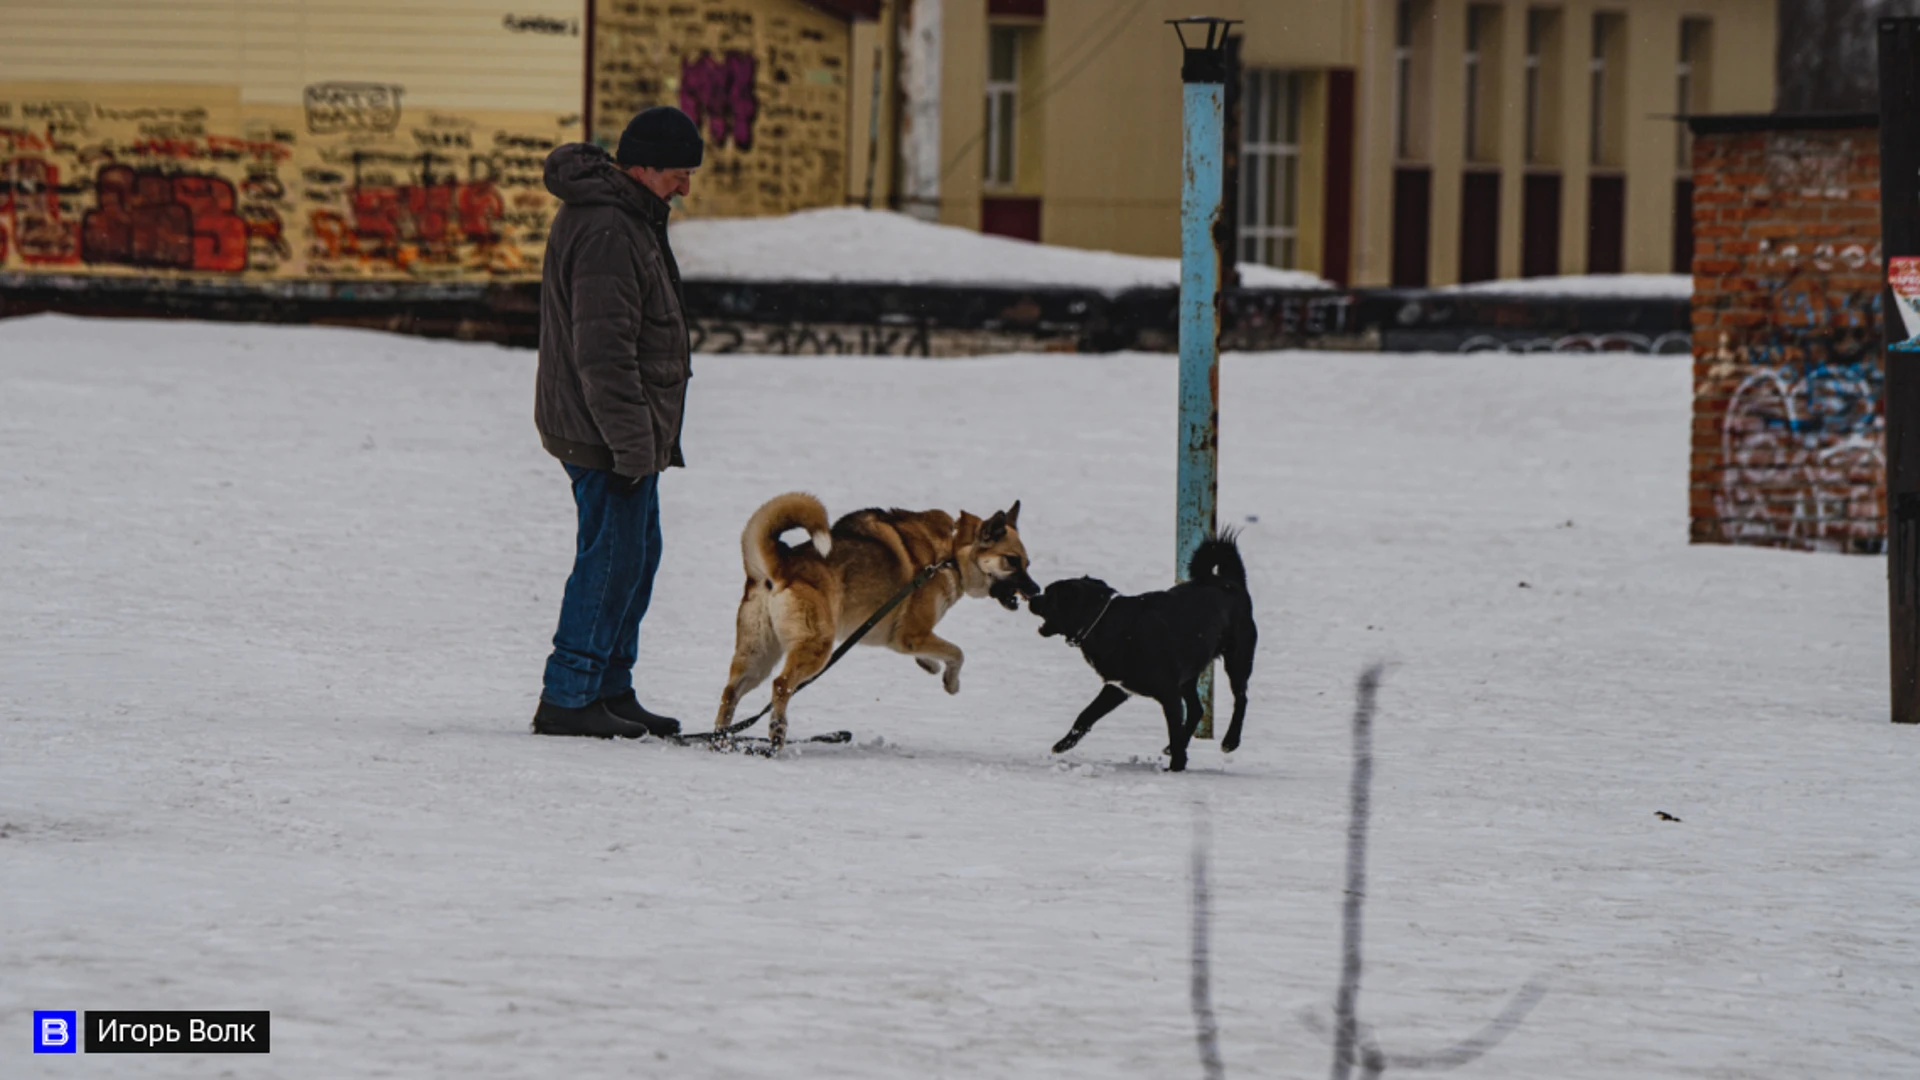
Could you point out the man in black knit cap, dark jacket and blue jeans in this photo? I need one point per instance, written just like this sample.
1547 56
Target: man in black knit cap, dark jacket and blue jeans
608 403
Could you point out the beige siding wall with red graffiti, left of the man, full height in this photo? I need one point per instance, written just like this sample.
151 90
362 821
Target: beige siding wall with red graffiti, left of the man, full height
283 137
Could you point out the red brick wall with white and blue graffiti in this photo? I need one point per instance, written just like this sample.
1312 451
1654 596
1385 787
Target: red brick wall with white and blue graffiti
1788 433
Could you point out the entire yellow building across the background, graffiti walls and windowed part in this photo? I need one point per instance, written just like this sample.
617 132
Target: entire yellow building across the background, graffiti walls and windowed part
1372 141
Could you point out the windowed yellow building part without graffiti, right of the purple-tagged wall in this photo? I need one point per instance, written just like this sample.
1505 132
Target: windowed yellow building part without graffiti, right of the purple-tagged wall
1376 141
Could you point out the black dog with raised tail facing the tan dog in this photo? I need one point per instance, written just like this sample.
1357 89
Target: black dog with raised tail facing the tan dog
1157 645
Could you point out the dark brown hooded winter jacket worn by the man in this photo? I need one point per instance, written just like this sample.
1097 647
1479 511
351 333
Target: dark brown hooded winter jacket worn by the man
613 333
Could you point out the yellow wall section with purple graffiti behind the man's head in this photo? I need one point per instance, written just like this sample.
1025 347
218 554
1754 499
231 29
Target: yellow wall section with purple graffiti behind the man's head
765 80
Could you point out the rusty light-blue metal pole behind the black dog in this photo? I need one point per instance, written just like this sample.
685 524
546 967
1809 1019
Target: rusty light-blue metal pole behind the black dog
1205 82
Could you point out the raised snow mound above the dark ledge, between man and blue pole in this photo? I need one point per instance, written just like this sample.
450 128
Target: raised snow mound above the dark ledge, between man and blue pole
894 249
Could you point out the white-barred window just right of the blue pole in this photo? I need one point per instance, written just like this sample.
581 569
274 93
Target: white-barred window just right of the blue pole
1270 168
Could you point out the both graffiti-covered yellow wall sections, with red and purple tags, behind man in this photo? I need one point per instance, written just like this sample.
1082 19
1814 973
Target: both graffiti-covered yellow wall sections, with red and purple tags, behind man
335 139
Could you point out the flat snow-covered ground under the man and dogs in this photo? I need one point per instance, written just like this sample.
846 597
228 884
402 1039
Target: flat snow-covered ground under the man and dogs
274 606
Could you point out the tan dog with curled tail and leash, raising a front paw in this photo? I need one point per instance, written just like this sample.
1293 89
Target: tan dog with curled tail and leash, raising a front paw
800 602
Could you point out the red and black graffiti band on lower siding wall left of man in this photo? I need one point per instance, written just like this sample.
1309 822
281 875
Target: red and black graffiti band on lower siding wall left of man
352 184
